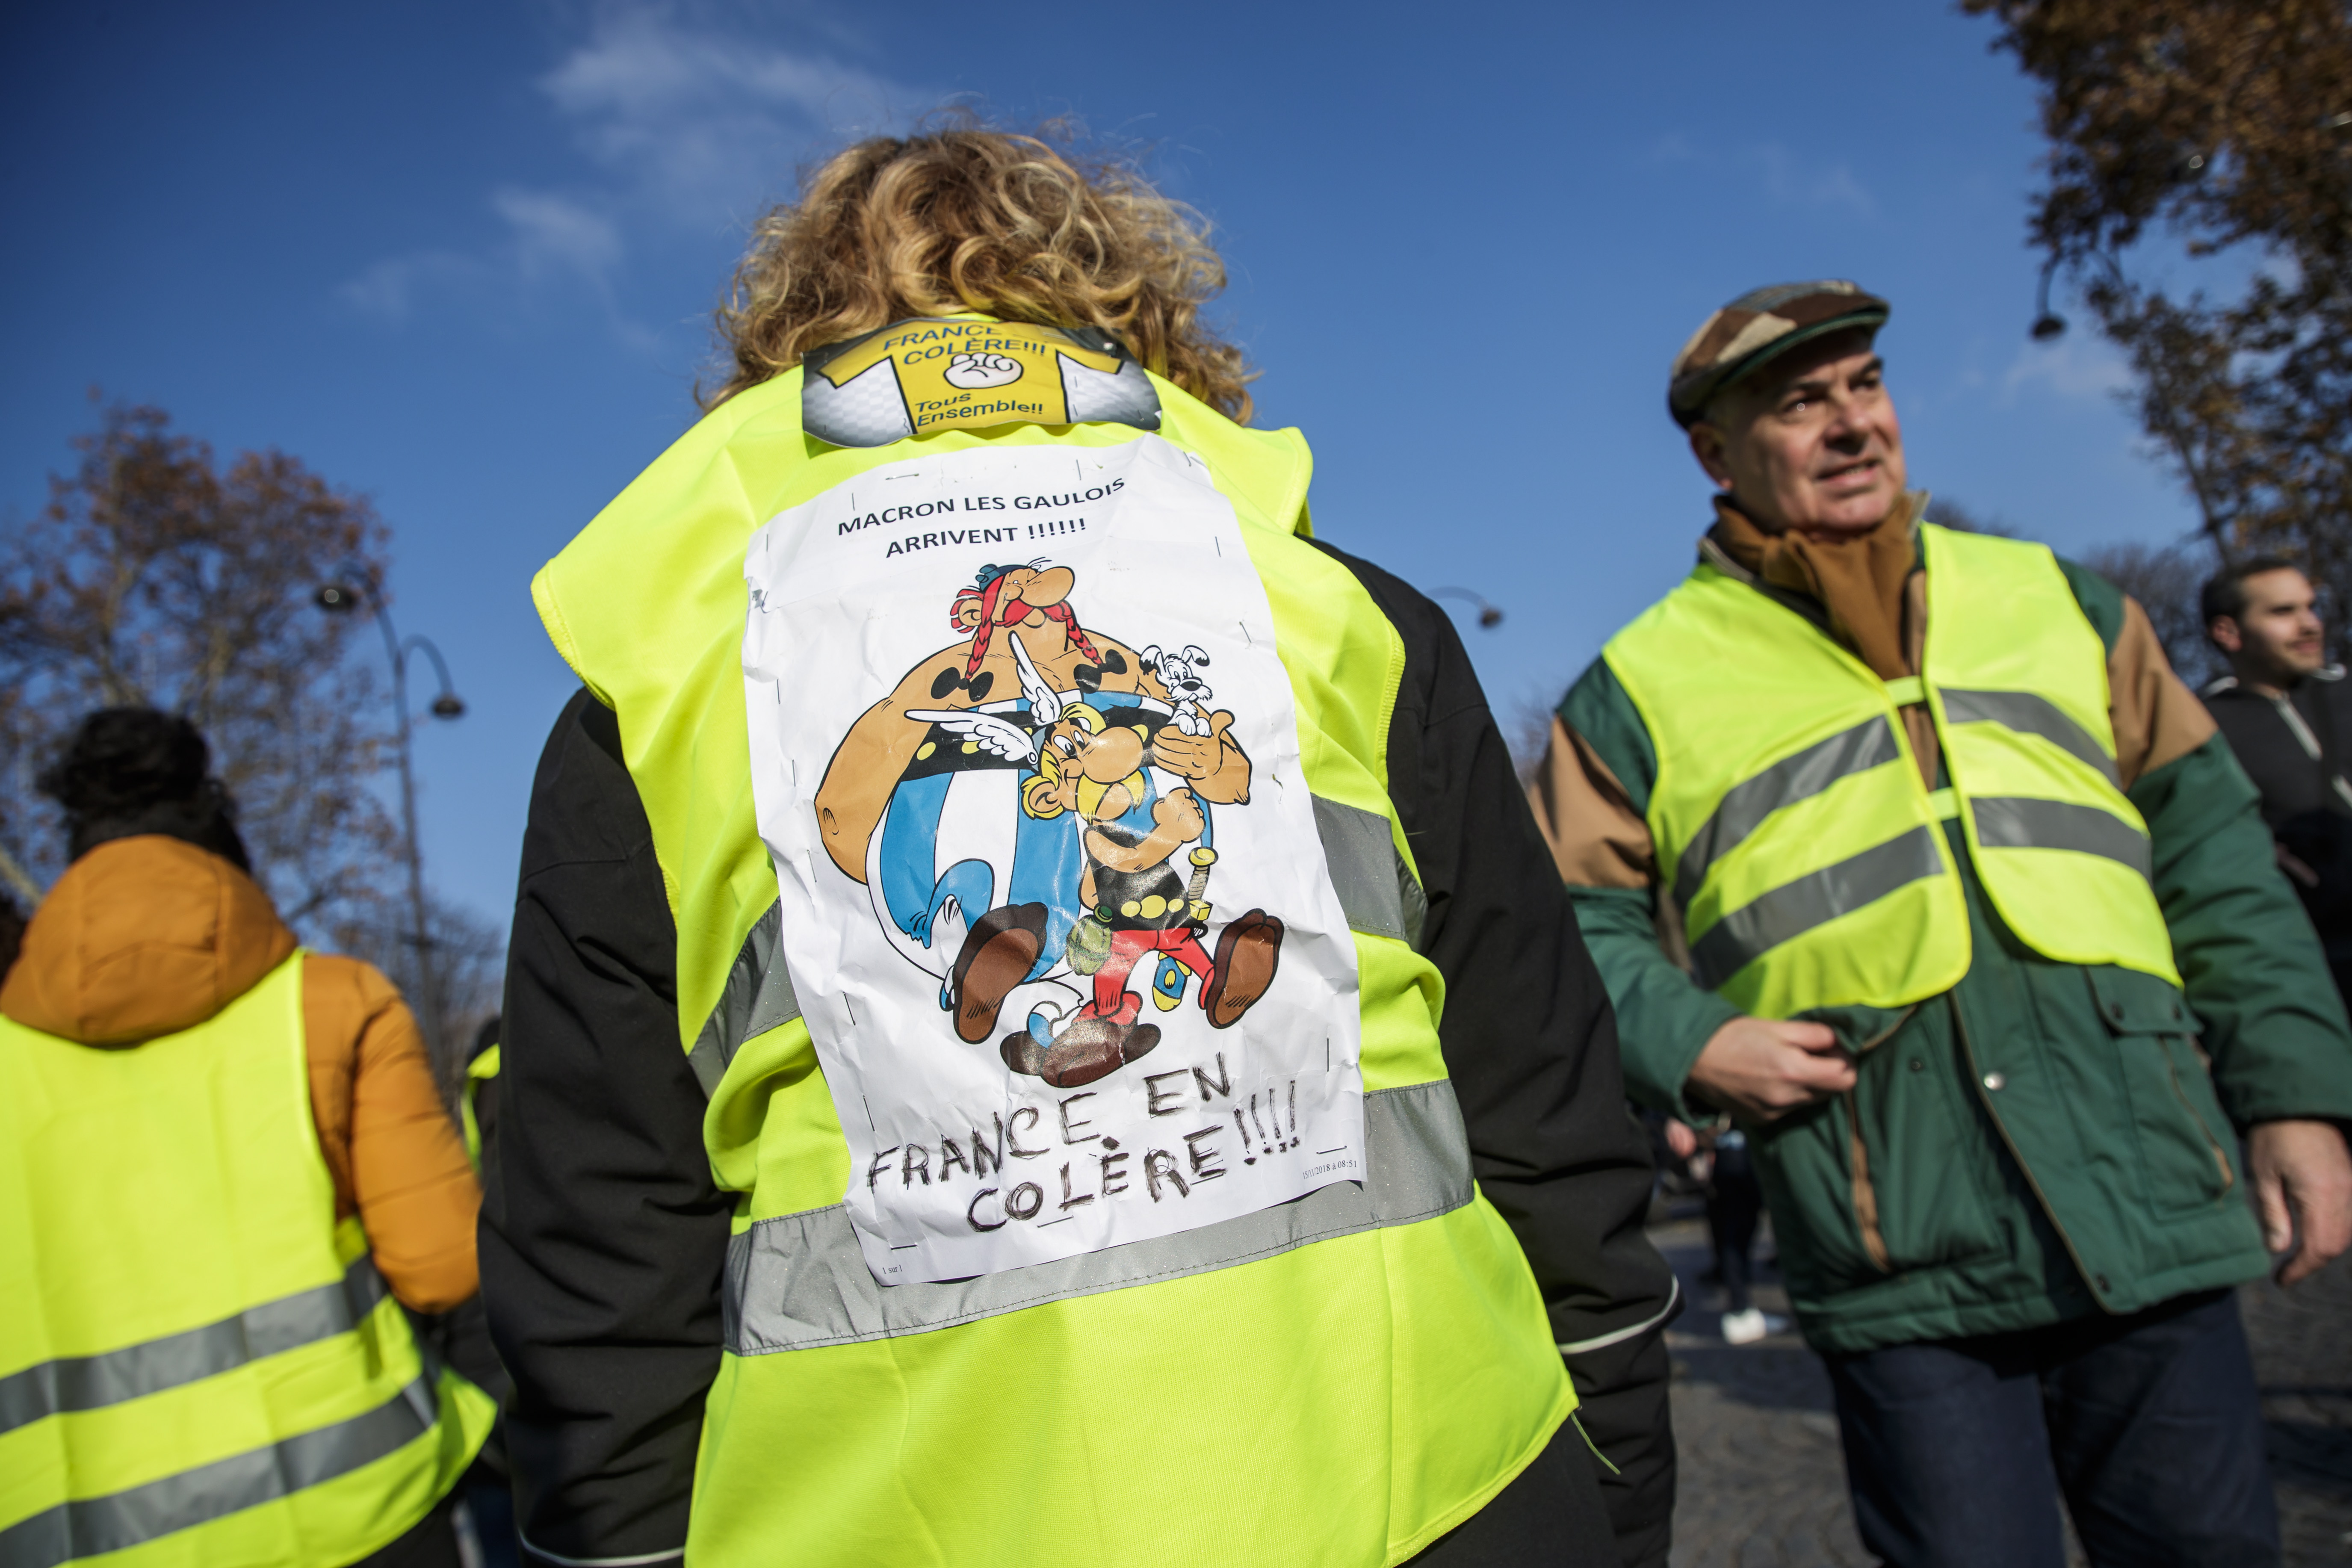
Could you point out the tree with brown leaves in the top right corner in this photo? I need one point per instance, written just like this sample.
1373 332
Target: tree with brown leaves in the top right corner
2200 199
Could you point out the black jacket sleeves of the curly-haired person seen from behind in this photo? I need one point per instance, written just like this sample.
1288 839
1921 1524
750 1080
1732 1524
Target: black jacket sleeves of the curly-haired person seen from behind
603 1233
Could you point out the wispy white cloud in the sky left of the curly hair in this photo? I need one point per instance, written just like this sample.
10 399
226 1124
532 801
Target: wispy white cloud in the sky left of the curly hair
681 128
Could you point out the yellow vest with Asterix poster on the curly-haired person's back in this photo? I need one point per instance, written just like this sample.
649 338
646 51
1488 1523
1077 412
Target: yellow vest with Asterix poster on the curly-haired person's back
1045 942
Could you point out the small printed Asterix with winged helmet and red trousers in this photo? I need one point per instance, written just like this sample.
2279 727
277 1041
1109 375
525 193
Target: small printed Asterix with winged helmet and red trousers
1137 902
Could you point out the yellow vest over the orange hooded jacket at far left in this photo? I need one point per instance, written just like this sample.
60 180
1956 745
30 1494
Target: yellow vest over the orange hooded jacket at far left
196 1362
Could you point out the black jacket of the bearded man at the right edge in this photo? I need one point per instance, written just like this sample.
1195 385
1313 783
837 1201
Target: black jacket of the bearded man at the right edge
2297 753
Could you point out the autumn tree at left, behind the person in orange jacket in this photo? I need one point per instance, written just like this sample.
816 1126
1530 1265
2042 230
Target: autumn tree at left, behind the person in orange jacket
156 577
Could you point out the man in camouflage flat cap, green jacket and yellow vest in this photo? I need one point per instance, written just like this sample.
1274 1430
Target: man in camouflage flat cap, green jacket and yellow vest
1906 852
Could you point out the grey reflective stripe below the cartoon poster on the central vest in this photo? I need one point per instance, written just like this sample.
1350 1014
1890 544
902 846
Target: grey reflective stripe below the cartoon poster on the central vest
799 1282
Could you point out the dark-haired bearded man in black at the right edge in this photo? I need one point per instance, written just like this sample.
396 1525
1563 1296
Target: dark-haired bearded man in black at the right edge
2287 713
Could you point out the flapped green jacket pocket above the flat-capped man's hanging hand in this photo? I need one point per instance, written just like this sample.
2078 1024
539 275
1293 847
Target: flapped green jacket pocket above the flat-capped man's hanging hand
2177 1123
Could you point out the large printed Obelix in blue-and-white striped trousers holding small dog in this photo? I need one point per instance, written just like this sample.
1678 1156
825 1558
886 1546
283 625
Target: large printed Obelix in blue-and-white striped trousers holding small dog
928 815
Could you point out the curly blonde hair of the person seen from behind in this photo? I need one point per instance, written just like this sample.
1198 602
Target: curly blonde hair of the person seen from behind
980 220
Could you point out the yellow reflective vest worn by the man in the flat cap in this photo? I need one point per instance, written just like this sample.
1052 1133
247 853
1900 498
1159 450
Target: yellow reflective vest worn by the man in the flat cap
1791 822
